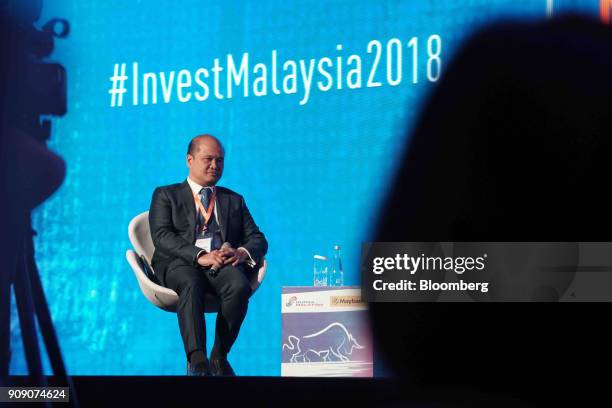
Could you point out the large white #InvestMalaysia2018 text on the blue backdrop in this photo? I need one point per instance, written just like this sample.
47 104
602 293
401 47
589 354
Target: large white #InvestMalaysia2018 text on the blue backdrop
244 76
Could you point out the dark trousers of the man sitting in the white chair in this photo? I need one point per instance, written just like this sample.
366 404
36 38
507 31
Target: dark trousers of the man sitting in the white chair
191 283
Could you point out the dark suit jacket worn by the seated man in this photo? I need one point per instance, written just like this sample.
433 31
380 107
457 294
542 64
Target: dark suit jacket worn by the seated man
172 219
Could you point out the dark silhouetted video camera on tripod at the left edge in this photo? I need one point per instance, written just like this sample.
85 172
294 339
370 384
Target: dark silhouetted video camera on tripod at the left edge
31 89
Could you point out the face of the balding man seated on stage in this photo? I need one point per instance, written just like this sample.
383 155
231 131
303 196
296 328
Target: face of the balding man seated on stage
206 165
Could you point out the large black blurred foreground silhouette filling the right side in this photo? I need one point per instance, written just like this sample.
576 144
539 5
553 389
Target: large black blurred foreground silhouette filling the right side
513 145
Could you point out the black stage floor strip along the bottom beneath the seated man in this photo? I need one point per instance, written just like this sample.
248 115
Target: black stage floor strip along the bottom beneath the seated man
290 392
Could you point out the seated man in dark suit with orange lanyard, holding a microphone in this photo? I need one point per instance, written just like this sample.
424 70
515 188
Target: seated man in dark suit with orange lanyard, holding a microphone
205 240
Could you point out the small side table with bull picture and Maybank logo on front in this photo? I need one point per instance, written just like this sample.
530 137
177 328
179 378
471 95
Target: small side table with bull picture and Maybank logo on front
325 332
